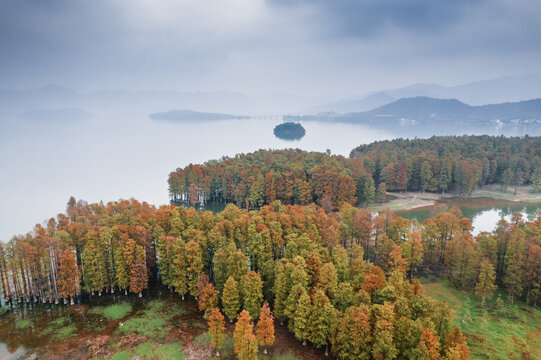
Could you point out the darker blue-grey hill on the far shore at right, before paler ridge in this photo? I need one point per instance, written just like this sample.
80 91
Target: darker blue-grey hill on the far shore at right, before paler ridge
429 111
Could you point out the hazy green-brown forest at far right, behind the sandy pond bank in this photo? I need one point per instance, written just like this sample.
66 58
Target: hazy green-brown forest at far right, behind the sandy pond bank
453 163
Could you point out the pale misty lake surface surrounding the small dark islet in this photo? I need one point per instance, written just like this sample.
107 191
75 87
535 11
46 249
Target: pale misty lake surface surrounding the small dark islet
121 154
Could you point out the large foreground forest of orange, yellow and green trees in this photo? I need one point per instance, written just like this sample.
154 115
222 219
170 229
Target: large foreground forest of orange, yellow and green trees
340 279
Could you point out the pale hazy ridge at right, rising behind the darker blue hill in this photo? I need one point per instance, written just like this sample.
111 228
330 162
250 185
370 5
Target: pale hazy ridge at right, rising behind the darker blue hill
504 89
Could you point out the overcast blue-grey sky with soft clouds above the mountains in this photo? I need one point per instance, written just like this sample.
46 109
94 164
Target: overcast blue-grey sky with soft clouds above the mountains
306 47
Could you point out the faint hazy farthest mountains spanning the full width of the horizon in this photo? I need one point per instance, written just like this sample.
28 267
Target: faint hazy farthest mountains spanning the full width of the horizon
52 96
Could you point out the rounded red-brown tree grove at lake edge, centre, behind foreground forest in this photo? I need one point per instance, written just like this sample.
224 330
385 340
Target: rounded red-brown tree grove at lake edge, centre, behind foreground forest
291 176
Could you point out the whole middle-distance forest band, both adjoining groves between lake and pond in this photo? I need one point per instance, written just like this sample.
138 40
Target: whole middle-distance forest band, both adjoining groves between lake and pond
442 164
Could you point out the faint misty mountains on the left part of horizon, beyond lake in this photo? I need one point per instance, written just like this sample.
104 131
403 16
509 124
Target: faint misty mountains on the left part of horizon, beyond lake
56 96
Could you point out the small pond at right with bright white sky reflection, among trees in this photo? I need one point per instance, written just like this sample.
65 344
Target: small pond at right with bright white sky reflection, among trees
484 213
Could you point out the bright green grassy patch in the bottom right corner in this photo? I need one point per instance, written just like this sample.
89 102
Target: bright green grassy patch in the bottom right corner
509 332
